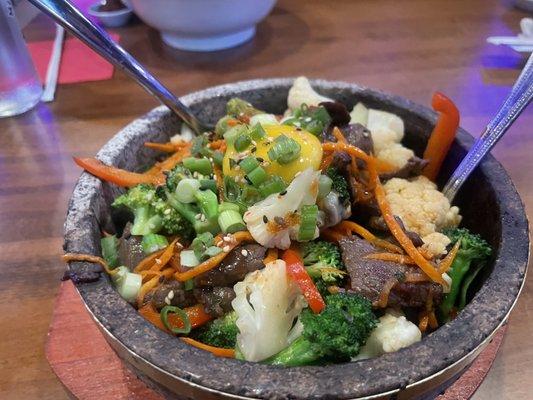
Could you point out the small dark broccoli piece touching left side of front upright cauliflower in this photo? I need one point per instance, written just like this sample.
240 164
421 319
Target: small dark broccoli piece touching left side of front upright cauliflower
222 332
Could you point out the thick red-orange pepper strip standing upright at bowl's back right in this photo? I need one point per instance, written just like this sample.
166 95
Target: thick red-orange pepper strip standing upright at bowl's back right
443 134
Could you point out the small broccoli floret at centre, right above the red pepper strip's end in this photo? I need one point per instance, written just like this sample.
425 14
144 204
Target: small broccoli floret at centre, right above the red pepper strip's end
322 260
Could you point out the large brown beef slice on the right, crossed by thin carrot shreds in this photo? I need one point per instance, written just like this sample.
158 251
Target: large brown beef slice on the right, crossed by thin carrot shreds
369 277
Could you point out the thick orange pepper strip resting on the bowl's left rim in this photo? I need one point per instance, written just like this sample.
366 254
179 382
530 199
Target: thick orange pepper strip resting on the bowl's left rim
112 174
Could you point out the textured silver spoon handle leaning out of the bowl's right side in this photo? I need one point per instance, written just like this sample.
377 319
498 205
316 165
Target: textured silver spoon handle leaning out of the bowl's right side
520 96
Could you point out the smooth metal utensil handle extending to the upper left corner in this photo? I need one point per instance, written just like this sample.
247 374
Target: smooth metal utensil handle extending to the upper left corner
65 14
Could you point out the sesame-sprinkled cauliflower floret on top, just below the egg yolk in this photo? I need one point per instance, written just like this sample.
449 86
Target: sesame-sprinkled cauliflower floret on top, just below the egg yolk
273 222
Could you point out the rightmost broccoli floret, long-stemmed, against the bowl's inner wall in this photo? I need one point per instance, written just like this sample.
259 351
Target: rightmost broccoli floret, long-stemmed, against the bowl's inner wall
474 251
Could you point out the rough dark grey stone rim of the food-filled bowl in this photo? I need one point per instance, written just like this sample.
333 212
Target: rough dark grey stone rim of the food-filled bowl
363 378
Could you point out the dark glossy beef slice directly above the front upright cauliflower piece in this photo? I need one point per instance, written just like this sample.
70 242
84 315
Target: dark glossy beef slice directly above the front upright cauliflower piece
234 267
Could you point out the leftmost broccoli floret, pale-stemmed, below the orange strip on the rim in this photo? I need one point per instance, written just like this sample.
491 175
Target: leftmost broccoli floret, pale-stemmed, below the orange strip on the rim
141 200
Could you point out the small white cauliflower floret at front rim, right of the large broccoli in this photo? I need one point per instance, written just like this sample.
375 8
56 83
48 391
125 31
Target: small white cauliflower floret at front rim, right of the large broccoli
392 333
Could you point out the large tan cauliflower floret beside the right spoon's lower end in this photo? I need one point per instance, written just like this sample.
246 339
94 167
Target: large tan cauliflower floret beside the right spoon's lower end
422 208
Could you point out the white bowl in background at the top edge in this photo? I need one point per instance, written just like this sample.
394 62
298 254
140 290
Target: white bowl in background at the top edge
203 25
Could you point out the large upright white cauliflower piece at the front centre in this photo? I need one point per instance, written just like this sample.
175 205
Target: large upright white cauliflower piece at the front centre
267 304
